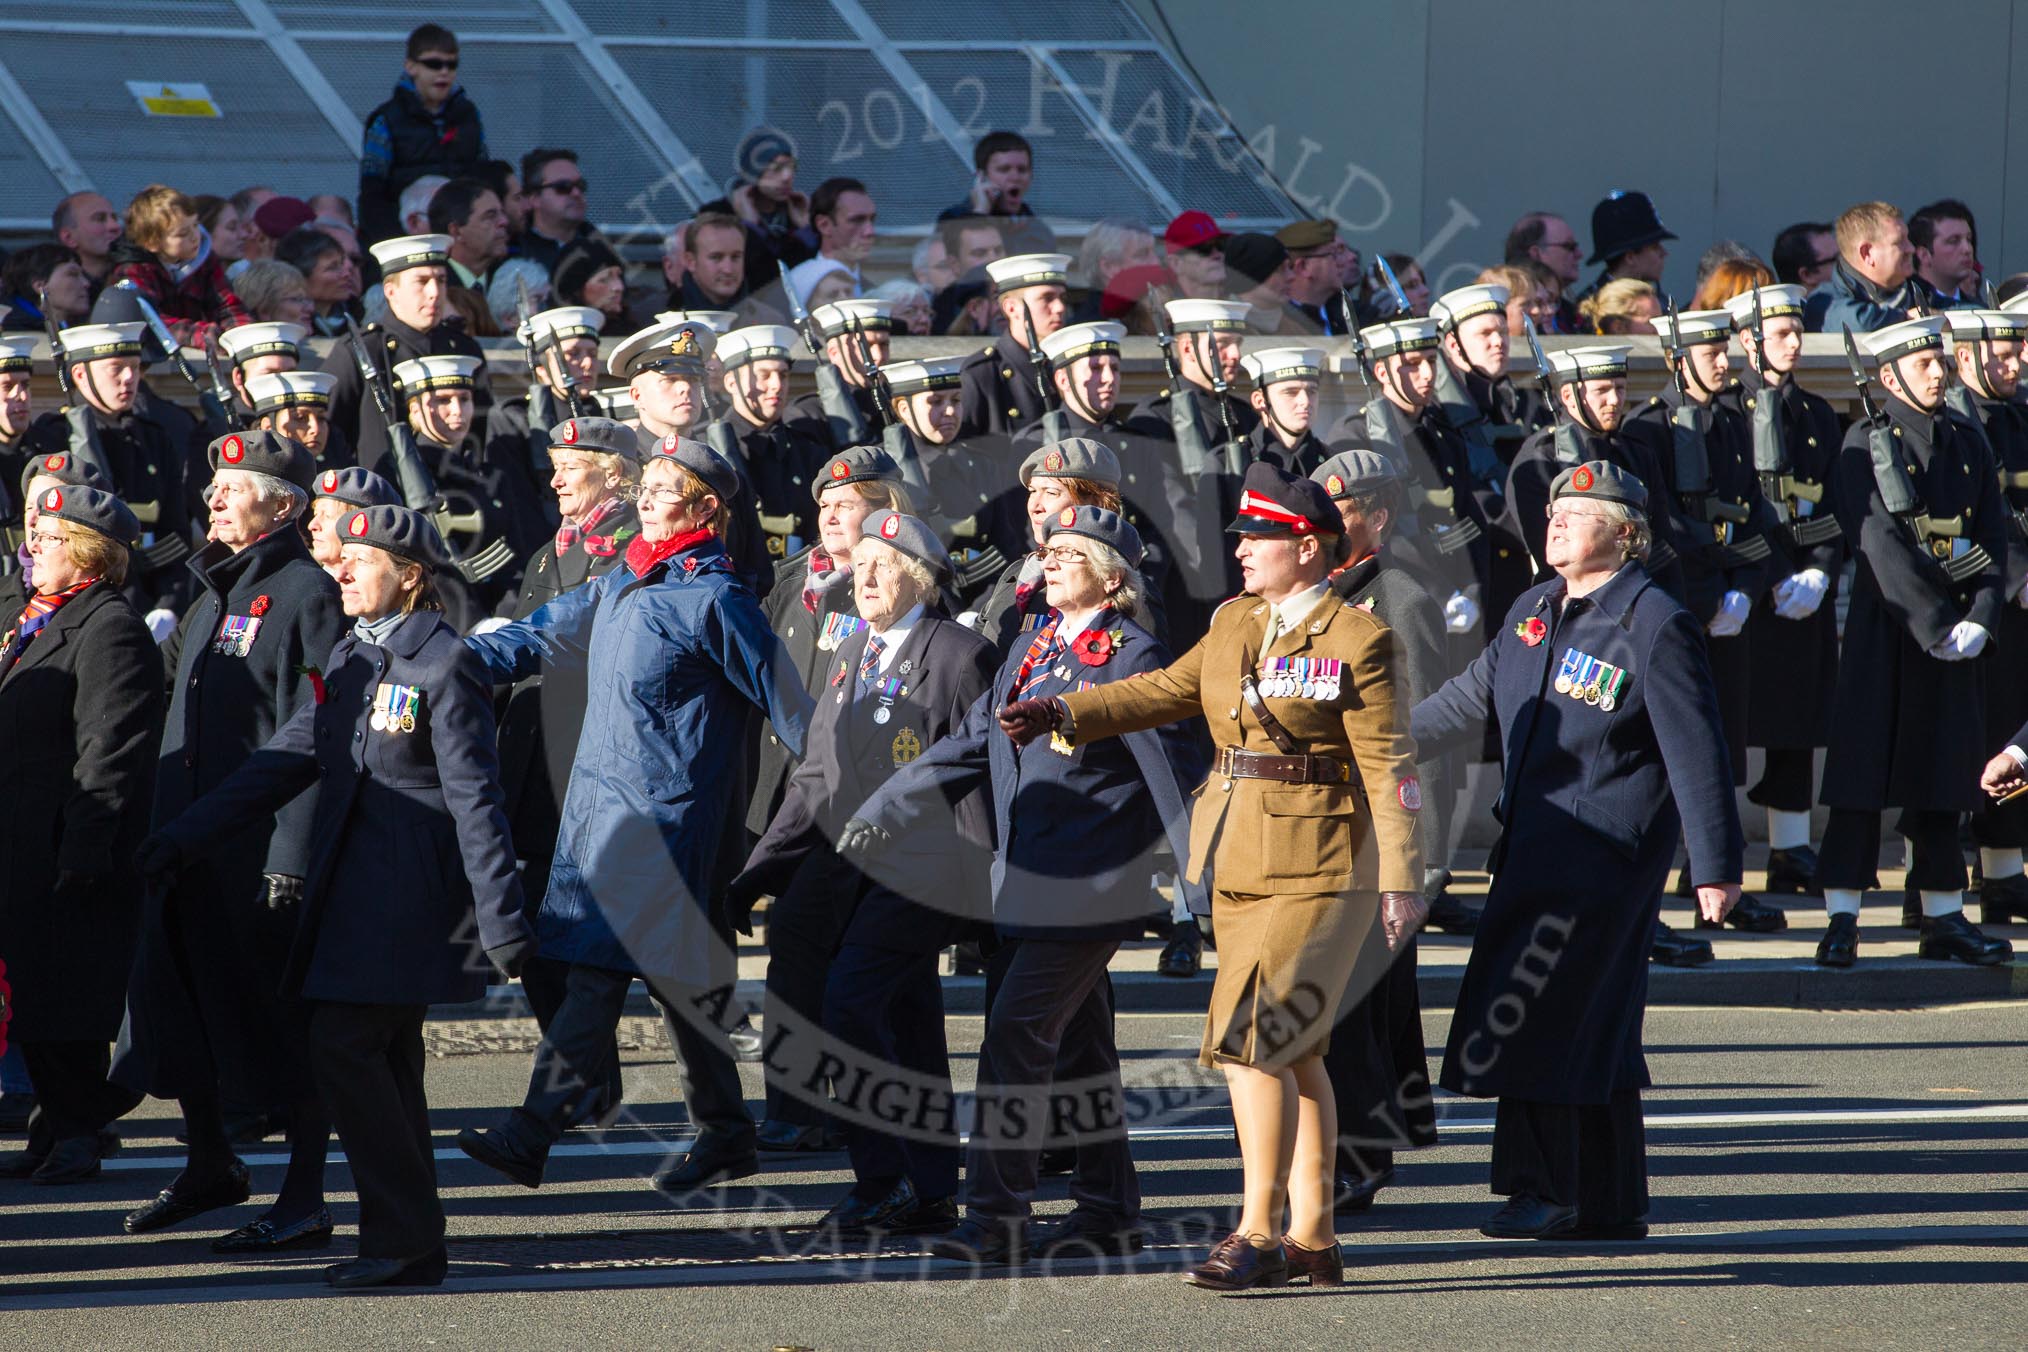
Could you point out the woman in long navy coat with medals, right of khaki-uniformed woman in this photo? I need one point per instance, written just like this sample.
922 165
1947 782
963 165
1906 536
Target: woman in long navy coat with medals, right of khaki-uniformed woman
1613 753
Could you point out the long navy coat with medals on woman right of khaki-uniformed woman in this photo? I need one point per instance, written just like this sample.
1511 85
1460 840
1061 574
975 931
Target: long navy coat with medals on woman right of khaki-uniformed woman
1591 808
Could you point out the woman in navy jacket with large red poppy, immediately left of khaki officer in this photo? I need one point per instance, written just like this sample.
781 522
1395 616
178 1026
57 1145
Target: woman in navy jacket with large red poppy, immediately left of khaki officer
1080 830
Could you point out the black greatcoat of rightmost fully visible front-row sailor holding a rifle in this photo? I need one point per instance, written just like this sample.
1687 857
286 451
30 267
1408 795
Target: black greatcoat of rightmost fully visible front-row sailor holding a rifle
1917 729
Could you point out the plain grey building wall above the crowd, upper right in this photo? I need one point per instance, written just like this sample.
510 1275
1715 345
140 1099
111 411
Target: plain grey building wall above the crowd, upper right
1429 127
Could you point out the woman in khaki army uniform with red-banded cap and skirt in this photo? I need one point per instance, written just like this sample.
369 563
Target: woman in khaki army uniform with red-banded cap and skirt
1317 779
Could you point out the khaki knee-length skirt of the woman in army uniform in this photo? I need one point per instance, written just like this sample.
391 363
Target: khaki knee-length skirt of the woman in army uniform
1287 968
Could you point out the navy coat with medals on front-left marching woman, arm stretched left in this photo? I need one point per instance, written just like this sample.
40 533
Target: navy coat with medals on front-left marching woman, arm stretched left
413 875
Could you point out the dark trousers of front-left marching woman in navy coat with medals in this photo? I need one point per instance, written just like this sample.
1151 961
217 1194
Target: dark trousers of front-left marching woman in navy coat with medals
368 1063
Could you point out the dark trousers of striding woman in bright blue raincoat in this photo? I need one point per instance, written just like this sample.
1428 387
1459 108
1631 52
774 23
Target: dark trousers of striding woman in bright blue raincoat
579 1051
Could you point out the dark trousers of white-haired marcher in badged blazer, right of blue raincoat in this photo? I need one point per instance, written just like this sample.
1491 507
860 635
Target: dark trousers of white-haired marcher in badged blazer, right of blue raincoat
889 1008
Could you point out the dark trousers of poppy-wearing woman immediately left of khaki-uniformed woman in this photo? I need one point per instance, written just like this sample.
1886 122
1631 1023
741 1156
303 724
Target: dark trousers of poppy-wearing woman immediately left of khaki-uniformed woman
1052 1019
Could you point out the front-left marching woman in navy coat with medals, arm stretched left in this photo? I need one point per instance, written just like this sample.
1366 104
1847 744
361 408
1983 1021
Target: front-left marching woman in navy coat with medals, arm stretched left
411 881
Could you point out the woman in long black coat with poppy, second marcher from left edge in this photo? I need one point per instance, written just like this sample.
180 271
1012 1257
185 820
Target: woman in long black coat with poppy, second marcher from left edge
206 1025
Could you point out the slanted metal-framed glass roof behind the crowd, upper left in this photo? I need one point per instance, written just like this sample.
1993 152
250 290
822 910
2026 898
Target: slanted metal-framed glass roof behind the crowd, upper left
652 96
